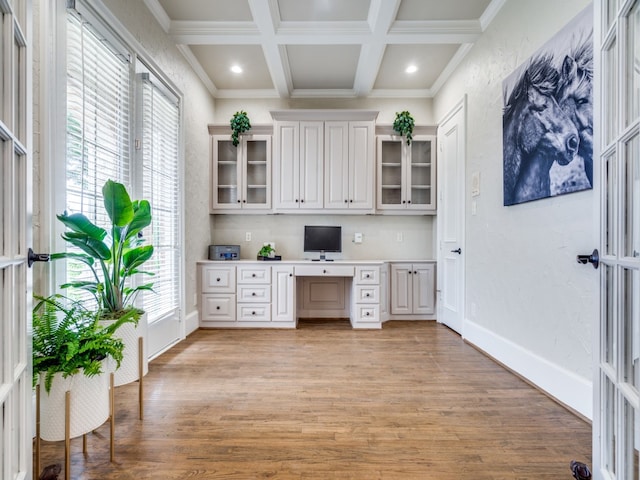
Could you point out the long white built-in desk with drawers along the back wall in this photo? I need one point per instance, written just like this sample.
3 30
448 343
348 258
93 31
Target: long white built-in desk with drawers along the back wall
250 294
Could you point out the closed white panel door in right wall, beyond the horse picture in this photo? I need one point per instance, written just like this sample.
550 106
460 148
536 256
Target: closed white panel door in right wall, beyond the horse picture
451 181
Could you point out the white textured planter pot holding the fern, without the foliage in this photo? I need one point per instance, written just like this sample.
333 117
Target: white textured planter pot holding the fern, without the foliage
89 404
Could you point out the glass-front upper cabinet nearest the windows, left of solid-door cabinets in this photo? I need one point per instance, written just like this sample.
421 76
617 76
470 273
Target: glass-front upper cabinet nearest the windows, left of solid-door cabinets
240 175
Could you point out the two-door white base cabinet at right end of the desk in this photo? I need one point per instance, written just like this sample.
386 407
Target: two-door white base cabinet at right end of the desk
413 290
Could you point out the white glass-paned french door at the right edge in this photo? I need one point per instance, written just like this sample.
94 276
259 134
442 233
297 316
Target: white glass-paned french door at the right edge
616 425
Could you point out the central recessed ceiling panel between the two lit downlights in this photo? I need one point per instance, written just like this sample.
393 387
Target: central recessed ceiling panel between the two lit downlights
323 66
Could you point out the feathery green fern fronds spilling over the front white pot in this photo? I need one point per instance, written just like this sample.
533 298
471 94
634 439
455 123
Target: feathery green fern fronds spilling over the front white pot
69 338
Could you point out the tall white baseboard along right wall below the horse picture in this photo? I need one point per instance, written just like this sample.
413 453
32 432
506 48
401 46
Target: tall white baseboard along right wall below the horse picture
569 389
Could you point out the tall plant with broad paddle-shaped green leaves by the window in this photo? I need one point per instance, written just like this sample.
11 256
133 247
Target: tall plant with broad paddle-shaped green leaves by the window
113 255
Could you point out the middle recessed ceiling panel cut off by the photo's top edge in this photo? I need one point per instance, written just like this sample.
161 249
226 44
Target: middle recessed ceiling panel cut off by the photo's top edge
323 10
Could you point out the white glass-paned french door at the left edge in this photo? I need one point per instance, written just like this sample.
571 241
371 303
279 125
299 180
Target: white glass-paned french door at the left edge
15 236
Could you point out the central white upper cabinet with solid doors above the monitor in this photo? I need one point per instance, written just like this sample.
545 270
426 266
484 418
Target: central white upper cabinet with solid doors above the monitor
324 161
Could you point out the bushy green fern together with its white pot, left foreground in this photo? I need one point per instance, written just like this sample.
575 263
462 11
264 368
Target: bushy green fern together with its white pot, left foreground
71 349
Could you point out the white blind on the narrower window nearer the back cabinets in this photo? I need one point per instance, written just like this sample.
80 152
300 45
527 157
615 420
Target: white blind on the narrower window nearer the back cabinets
160 145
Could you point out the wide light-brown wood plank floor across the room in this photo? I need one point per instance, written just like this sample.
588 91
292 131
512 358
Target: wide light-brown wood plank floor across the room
410 401
